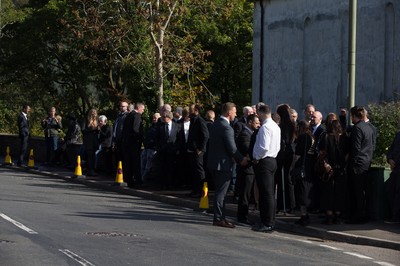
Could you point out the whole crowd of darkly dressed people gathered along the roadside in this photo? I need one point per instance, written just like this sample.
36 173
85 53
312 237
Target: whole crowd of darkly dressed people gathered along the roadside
269 158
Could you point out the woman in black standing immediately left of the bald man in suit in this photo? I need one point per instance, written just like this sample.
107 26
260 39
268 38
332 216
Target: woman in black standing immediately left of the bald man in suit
304 156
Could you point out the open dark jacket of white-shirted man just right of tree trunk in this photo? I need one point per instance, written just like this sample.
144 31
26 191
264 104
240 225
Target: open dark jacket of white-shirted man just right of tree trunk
168 143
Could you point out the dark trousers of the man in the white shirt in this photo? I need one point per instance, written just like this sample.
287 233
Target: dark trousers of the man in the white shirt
265 171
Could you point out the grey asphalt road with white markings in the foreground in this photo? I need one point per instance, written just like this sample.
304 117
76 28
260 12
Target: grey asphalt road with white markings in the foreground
46 221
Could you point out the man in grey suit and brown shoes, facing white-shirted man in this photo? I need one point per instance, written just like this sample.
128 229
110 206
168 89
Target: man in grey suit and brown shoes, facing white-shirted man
222 153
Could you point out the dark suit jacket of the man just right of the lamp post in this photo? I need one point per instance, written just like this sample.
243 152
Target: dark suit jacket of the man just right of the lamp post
362 147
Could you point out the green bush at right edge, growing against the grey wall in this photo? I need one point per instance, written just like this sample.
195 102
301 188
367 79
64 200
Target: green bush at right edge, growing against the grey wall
386 118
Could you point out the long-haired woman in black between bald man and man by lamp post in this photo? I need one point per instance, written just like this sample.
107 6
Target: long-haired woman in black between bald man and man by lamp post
333 187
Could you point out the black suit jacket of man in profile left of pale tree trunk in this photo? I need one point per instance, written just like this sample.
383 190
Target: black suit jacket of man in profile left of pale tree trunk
132 131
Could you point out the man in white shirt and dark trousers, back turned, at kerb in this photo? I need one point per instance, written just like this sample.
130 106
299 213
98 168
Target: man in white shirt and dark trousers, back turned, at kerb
266 148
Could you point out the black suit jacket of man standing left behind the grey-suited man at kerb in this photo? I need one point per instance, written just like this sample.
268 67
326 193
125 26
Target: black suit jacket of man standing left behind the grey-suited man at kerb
198 134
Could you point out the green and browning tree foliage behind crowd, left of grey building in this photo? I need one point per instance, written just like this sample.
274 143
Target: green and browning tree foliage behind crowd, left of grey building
77 55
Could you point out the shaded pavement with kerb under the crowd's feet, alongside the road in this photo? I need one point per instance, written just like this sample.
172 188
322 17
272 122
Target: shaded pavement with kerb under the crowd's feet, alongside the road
374 233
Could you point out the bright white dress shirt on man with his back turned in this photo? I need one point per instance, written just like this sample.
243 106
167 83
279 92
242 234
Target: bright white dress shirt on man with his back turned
268 140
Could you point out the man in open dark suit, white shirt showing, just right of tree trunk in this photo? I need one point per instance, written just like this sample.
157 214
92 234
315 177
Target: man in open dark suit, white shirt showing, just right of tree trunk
168 141
